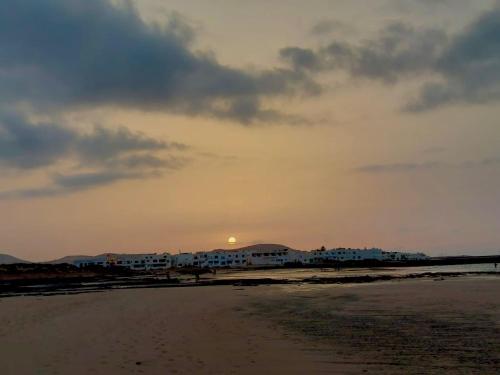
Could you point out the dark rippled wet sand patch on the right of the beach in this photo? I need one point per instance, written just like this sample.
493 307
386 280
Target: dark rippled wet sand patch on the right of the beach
426 326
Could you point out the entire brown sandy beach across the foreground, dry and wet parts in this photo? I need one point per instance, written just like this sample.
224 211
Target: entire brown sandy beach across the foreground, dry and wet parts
408 326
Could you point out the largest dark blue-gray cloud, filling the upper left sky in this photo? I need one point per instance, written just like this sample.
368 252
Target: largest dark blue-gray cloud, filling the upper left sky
71 53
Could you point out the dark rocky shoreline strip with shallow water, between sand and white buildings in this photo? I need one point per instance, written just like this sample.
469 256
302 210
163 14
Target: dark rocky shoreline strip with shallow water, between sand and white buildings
47 285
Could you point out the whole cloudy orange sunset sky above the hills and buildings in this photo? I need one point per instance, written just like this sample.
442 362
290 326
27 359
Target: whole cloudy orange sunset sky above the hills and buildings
170 125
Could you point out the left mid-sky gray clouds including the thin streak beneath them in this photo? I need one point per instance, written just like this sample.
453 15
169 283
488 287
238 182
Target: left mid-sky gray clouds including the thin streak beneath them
99 157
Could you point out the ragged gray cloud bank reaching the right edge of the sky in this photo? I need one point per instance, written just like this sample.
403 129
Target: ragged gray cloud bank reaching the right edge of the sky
466 65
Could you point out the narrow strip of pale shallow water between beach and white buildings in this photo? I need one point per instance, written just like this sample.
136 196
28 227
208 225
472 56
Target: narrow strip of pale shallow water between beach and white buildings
302 273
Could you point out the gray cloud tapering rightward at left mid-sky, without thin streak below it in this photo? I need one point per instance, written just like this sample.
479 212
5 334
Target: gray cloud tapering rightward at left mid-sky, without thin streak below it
27 145
